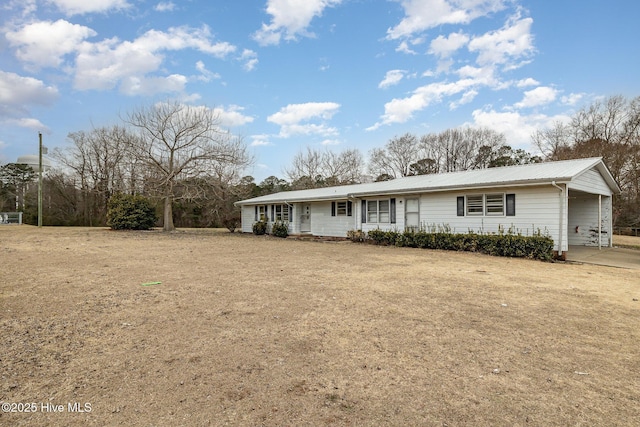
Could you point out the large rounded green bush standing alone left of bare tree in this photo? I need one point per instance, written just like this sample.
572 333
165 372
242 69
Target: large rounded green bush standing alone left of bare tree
130 212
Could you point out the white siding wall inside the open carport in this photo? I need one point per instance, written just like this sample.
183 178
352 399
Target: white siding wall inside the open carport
583 219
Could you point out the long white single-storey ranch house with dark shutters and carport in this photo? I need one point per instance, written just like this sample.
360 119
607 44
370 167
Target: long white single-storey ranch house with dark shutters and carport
570 200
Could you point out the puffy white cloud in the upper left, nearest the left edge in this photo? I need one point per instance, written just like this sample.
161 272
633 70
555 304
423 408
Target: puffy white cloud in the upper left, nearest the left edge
45 43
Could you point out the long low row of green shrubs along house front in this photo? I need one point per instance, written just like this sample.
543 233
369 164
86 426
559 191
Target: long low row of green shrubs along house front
502 244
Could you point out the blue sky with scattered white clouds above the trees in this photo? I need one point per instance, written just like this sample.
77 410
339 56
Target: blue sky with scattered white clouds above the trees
335 74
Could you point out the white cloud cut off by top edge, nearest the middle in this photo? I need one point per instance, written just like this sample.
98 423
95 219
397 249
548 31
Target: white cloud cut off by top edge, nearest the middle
289 19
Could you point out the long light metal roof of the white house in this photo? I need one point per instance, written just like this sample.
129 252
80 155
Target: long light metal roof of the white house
531 174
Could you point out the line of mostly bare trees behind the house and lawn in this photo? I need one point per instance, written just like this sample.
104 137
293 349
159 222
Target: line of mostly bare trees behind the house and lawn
179 157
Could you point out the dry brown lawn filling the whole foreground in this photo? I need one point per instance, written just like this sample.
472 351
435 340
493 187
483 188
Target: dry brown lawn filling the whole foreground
247 330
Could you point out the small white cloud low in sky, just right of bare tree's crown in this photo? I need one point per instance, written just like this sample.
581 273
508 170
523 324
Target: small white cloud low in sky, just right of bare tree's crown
292 118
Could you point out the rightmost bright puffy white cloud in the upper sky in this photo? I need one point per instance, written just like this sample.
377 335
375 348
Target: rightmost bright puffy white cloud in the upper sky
513 41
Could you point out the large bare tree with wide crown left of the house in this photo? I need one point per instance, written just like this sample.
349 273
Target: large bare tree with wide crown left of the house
180 144
